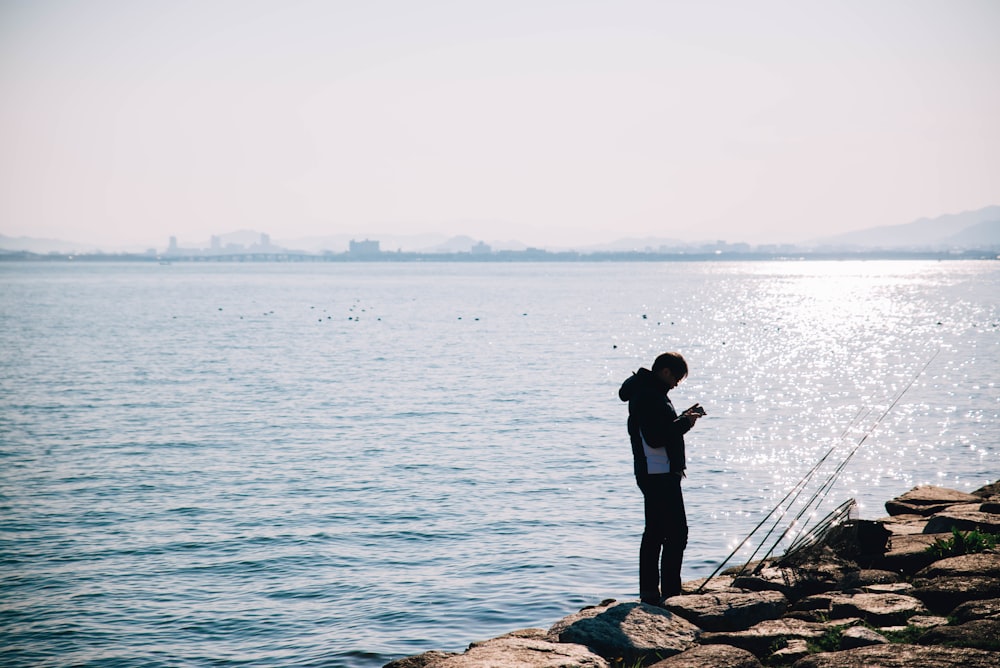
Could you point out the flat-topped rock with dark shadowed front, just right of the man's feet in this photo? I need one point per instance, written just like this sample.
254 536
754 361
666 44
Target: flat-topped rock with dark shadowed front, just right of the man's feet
728 611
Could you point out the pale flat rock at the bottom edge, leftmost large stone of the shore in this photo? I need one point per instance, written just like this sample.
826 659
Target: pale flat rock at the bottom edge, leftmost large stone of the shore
512 651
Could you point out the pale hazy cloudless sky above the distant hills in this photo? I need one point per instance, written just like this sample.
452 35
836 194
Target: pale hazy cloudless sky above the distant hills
554 122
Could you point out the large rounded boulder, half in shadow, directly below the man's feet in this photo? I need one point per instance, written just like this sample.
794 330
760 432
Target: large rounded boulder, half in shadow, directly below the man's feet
629 631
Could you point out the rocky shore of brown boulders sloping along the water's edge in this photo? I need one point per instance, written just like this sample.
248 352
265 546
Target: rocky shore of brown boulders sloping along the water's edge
920 587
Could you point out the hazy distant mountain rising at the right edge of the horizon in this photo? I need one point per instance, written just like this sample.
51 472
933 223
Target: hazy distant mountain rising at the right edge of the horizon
970 229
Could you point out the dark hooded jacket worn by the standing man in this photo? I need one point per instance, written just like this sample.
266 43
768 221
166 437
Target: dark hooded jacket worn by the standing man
651 416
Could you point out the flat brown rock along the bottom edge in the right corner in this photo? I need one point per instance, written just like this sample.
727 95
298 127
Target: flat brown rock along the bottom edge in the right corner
896 655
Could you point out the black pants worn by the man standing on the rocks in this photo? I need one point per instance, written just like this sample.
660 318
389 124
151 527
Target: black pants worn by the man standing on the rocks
664 537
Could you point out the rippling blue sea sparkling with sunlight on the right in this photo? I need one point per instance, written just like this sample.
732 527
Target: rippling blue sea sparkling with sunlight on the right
346 463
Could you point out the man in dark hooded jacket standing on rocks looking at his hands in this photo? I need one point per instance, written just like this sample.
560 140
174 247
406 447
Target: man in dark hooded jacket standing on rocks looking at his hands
657 435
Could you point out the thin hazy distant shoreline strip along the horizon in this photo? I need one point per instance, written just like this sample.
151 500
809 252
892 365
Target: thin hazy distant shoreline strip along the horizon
530 255
